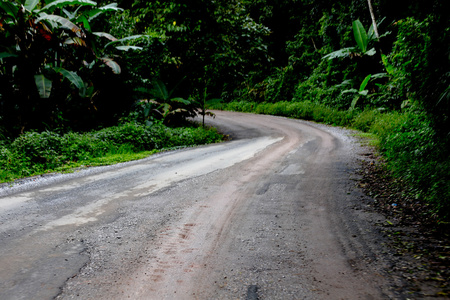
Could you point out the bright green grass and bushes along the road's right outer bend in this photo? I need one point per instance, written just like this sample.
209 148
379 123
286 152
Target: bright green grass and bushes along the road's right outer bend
407 142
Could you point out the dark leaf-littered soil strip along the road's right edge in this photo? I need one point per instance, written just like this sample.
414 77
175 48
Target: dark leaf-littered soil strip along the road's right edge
419 245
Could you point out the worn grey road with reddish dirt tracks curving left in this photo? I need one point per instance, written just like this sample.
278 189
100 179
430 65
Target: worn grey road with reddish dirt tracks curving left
274 213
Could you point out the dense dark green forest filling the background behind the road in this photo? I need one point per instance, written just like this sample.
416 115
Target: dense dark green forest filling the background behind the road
73 66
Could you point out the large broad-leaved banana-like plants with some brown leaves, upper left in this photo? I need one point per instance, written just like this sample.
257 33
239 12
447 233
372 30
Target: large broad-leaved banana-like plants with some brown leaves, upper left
52 63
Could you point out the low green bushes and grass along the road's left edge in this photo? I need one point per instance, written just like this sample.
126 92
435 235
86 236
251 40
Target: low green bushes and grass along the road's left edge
36 153
